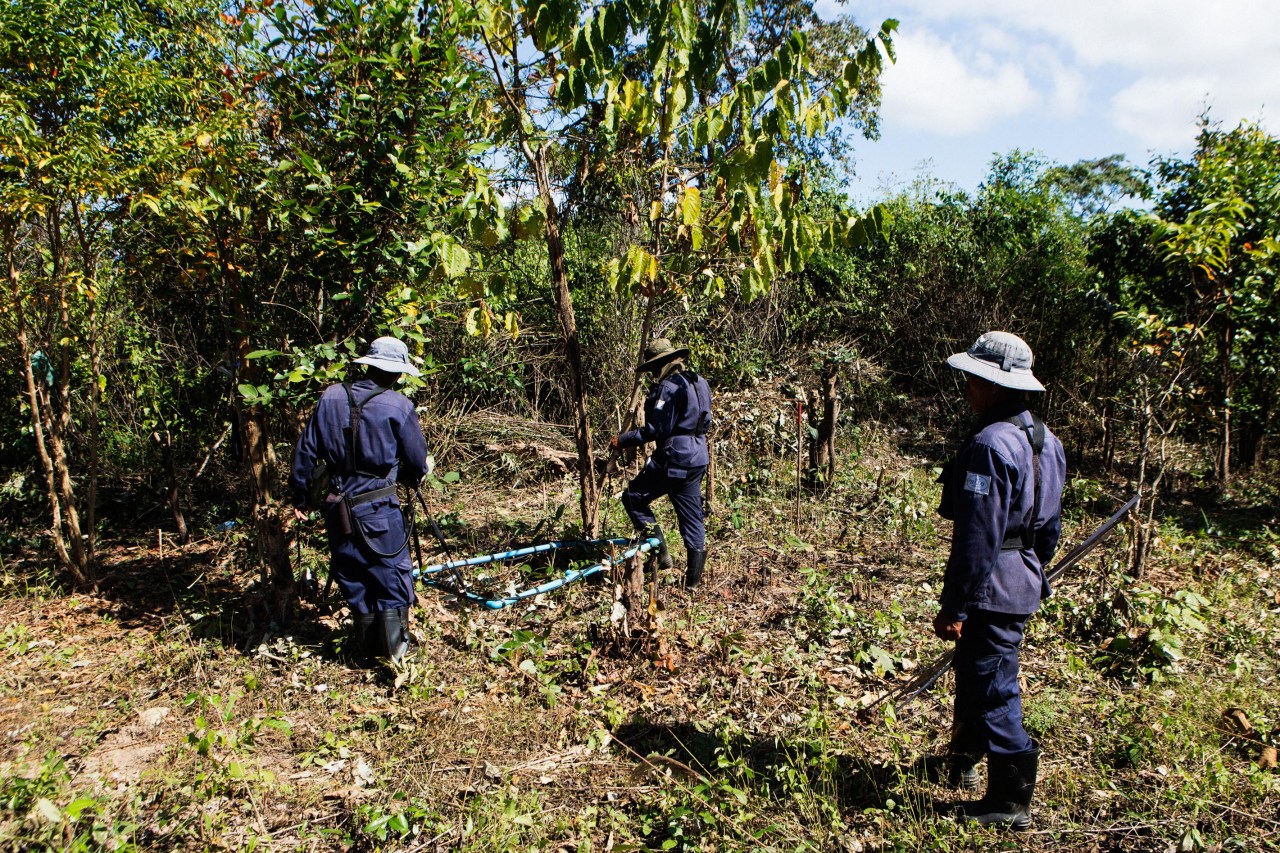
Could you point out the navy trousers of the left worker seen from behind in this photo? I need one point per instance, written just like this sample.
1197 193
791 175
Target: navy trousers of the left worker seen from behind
371 582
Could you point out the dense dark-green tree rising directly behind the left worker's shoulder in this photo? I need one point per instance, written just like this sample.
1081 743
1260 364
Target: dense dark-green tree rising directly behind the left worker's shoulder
324 206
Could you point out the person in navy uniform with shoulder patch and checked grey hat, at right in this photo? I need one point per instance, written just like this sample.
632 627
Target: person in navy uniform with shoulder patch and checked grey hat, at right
1004 495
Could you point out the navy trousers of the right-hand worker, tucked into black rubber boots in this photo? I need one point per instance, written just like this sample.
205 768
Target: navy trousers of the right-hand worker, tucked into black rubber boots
989 711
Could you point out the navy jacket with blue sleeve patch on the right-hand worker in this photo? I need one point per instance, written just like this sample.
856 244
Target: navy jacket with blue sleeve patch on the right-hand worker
985 492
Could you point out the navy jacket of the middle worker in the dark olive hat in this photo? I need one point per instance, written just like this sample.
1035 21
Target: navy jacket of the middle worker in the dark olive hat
676 416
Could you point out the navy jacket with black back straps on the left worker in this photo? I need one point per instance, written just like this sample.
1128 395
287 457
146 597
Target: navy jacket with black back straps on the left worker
391 445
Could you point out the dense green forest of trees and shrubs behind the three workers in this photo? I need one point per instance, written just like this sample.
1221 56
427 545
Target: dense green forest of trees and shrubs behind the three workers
207 212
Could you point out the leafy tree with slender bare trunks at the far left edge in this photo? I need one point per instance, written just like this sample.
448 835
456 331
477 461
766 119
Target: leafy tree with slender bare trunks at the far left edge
93 99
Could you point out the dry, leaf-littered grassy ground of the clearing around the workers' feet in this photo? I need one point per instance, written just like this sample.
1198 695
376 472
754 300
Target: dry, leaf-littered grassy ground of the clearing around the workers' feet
163 714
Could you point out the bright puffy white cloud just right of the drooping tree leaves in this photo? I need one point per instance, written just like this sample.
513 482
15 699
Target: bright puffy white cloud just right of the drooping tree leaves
934 89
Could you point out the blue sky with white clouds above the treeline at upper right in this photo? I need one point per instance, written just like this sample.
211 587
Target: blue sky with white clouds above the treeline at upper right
1076 80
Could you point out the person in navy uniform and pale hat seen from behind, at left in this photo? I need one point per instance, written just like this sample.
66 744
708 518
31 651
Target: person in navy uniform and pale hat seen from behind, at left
368 536
